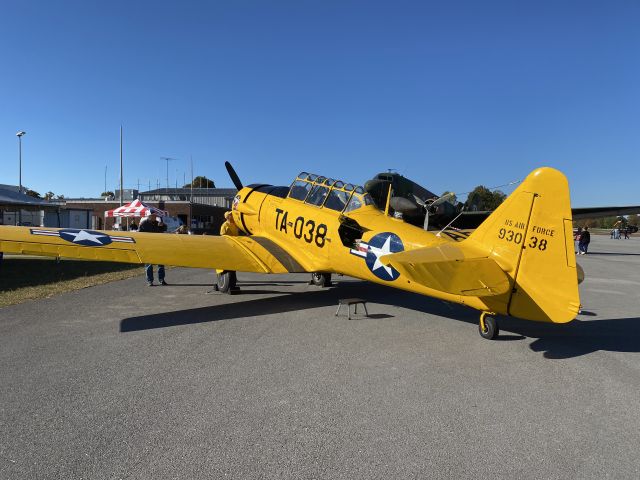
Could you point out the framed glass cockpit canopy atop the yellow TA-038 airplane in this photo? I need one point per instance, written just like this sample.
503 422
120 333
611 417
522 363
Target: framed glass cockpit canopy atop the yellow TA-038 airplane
328 193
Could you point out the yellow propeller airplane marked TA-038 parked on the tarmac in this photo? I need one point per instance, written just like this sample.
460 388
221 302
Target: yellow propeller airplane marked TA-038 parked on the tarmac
519 262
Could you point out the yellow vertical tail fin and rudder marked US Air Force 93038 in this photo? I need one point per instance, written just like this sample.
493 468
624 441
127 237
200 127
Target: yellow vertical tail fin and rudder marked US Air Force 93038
531 237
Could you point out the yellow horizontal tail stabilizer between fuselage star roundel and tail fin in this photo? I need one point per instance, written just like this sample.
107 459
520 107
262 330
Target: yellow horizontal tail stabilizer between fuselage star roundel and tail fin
452 269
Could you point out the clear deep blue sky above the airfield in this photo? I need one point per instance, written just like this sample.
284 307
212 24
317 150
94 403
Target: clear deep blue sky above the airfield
452 94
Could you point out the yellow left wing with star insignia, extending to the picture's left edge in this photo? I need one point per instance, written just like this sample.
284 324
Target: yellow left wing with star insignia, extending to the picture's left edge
246 254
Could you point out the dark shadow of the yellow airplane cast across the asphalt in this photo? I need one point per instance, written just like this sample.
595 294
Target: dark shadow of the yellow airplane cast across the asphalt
574 339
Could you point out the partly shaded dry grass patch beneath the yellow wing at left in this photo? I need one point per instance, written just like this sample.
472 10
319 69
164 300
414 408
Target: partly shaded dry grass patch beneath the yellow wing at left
27 278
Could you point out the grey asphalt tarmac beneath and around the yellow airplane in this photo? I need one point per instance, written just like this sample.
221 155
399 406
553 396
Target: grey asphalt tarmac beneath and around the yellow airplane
126 381
